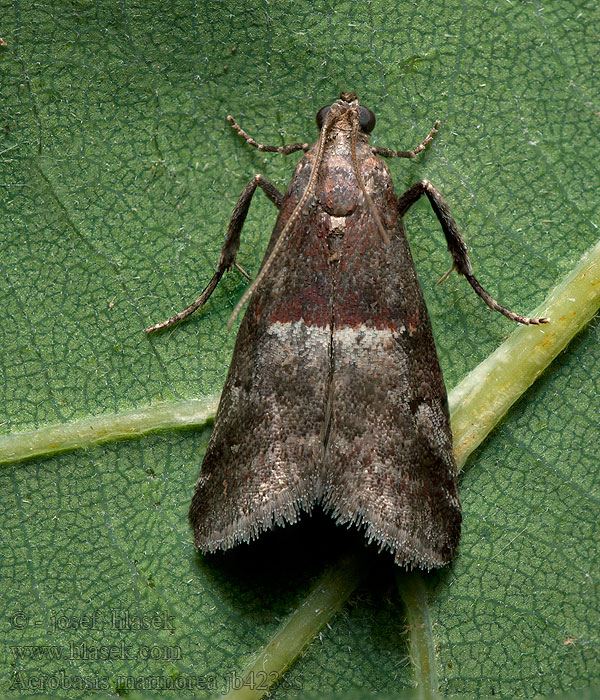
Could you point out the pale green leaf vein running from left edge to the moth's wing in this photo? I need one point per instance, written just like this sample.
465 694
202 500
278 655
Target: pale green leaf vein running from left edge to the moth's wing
113 426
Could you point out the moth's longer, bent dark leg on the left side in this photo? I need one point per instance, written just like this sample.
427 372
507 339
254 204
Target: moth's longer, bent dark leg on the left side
230 247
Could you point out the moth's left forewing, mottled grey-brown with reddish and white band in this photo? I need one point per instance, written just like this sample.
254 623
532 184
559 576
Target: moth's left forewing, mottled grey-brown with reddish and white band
262 462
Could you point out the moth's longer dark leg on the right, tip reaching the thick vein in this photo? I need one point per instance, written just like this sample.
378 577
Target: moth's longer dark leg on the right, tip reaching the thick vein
456 245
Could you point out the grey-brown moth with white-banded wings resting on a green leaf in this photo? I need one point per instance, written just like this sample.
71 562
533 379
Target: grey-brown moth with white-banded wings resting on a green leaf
335 395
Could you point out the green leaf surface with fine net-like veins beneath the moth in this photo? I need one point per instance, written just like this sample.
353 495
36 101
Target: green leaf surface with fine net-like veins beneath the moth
119 173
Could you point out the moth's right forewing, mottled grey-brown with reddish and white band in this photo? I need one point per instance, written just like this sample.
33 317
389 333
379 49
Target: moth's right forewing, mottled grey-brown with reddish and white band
389 466
